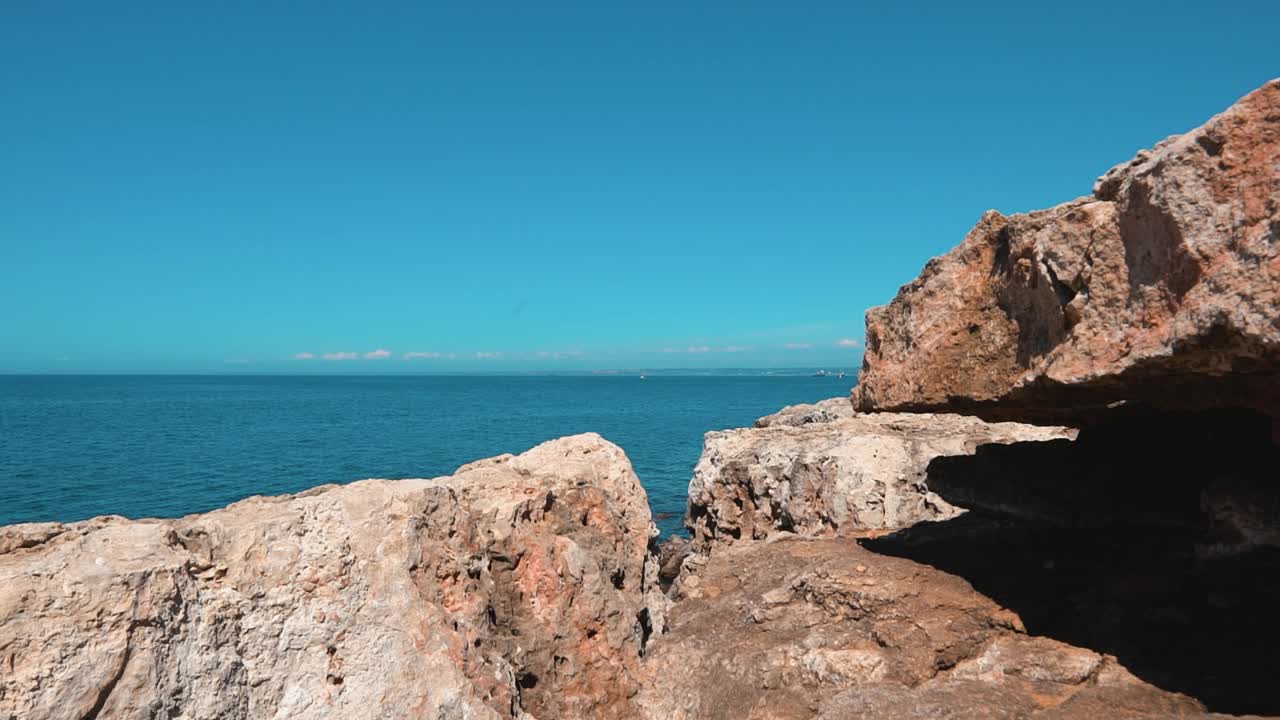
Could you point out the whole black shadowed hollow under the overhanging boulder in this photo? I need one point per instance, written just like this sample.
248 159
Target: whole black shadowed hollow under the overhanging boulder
1153 537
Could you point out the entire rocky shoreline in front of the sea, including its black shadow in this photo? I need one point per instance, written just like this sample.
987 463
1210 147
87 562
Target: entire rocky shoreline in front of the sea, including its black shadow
1054 494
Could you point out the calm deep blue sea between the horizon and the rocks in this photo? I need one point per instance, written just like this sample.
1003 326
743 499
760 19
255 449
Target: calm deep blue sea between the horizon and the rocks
74 448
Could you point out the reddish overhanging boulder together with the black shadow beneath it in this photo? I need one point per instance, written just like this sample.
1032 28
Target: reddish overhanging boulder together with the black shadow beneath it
1150 316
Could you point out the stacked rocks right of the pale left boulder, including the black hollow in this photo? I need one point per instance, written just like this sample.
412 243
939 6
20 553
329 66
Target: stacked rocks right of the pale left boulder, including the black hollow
1130 573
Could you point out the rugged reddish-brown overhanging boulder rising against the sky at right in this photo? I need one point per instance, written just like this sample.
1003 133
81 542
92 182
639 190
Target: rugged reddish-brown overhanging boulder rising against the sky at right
1162 289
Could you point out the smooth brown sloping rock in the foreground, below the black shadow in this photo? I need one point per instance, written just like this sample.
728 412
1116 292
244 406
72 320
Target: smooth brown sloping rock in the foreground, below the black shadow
821 628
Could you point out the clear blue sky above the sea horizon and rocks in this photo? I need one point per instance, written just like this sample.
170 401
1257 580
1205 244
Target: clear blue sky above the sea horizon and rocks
225 186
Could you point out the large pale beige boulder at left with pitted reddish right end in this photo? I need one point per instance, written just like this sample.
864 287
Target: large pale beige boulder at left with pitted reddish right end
522 586
